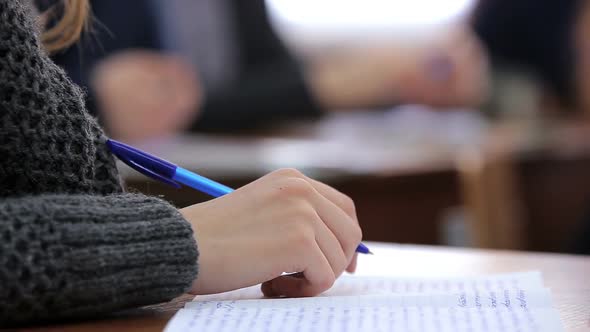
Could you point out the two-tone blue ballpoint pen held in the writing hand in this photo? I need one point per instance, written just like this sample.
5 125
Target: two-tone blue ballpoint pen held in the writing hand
166 172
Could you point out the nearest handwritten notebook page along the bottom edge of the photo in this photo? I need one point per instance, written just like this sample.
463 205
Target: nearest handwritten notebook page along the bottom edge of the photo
516 310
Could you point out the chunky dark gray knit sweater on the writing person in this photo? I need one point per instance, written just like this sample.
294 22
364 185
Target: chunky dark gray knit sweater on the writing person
72 244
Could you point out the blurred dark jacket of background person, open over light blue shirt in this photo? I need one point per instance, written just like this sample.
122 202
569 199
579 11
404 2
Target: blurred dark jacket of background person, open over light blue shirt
270 85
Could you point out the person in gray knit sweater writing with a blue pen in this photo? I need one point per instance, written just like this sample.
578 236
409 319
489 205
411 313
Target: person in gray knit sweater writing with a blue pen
74 245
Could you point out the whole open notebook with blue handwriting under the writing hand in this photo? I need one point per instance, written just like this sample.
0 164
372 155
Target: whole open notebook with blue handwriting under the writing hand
507 302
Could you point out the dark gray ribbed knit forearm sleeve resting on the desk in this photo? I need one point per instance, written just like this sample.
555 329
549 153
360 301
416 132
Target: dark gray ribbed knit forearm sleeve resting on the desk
64 256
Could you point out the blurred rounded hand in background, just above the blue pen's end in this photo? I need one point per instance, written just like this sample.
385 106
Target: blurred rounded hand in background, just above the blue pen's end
143 94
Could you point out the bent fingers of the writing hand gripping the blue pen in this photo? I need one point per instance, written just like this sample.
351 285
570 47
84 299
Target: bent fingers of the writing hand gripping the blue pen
336 234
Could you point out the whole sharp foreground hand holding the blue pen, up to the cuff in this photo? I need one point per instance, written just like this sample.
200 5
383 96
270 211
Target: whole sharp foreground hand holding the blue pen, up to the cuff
282 222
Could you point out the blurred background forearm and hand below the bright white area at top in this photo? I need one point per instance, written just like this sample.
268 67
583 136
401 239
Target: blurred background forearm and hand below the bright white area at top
451 72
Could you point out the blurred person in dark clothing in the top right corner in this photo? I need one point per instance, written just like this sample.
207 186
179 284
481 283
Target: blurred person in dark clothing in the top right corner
536 37
